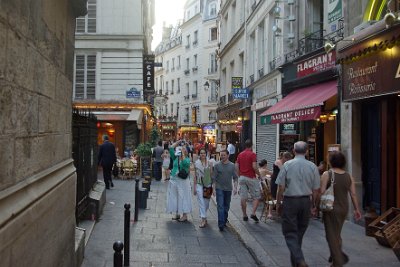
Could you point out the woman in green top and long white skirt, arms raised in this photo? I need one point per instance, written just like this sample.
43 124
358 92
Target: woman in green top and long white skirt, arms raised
179 198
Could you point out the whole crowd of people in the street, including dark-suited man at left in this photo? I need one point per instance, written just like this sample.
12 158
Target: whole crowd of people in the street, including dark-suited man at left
295 185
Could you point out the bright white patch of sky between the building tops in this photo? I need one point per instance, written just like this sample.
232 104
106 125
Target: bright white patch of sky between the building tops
168 11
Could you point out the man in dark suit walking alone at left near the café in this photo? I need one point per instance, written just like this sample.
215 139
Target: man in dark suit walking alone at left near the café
107 158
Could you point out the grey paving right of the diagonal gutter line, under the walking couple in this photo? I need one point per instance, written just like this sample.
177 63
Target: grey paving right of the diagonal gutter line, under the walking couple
267 244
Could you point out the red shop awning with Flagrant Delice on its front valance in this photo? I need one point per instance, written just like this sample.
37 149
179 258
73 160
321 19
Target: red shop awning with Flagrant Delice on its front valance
302 104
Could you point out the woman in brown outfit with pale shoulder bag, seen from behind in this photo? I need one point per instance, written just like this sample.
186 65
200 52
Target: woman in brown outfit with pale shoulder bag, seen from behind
343 185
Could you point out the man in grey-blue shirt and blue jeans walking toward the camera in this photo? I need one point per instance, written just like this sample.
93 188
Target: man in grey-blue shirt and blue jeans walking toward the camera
223 174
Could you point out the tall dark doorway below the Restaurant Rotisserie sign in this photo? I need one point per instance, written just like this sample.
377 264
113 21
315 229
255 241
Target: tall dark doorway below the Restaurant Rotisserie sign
371 154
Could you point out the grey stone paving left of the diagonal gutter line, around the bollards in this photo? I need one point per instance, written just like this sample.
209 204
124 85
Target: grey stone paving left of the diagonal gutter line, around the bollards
156 240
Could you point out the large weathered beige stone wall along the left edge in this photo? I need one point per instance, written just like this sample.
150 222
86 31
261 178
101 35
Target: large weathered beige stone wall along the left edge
37 178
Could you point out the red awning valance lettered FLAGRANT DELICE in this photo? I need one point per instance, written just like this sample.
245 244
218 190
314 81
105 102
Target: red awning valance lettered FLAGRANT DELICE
296 115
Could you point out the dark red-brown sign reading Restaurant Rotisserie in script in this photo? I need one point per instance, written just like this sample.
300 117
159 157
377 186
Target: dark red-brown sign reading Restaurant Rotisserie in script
378 74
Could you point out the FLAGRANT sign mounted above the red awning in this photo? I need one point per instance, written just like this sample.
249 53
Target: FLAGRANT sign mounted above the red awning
316 64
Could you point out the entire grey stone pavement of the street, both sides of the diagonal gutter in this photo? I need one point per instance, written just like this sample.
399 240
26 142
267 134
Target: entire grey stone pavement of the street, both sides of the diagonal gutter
156 240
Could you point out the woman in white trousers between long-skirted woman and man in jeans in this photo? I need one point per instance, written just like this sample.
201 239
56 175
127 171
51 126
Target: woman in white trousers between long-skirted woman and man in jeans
202 185
